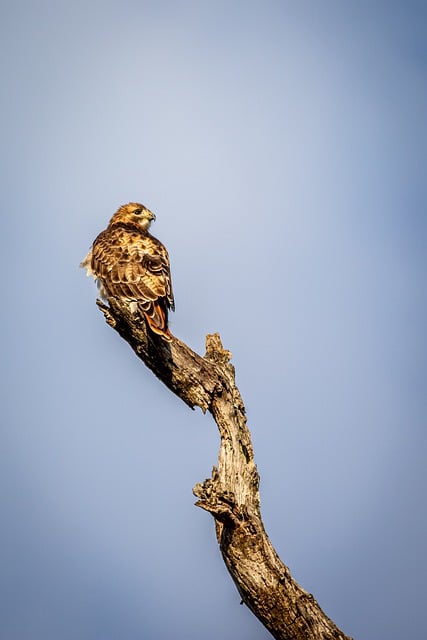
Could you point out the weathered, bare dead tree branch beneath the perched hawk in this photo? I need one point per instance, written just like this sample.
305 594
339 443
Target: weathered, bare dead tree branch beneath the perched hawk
231 494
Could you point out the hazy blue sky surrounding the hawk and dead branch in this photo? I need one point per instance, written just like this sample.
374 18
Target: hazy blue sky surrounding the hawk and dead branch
282 146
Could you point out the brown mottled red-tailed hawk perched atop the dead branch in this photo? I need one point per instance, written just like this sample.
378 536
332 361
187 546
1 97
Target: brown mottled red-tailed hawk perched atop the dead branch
130 264
